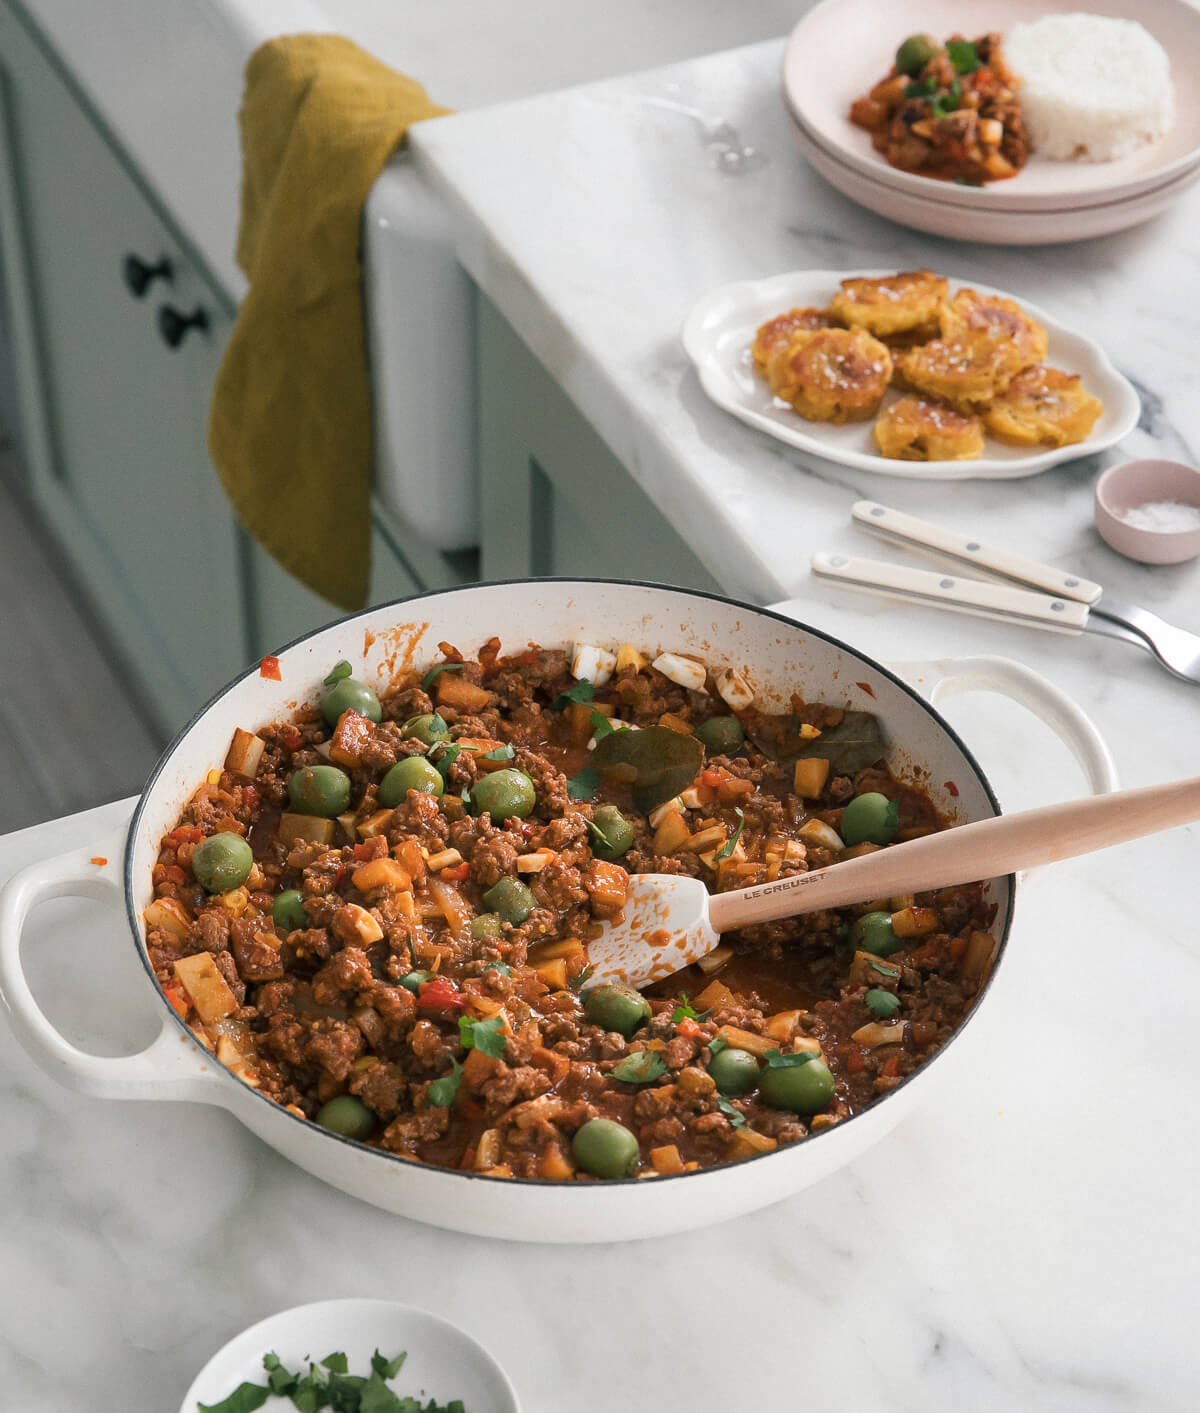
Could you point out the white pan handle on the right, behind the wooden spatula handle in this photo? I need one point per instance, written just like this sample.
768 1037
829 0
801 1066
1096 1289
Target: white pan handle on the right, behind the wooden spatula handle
949 676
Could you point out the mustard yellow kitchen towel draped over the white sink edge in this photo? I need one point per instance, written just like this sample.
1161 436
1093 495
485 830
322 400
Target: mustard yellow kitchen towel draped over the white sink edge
290 422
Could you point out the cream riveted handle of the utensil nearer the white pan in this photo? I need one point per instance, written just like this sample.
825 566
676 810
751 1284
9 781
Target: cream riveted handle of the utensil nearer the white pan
951 591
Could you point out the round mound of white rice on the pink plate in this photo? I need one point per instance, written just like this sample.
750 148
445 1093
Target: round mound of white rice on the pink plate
1092 88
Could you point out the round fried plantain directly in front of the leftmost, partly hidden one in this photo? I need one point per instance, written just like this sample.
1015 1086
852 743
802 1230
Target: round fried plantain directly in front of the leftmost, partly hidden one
833 375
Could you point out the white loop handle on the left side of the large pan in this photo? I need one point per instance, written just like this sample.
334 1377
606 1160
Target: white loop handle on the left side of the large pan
172 1068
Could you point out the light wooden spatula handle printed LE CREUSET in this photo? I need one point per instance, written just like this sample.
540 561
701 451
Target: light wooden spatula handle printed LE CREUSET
967 854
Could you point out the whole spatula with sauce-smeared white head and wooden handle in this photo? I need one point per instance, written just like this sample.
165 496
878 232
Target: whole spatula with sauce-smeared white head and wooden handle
671 922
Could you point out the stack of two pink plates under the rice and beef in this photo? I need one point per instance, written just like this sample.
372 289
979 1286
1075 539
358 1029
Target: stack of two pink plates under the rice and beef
843 49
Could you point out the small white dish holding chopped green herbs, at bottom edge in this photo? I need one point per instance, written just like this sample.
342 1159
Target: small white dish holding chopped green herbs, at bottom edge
442 1363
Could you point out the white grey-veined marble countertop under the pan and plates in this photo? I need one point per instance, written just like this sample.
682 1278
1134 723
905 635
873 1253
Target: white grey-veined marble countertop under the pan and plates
1024 1243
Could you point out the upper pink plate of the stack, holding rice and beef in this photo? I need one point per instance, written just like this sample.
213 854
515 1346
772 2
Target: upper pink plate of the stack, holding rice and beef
842 49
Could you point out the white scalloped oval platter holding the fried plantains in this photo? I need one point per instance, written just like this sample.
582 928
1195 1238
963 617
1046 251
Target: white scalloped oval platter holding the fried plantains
720 330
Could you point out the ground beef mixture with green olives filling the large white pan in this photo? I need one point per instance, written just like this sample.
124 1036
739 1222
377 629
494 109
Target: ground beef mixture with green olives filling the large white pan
378 915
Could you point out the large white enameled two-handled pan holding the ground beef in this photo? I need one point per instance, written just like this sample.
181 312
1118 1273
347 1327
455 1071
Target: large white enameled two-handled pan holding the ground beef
778 656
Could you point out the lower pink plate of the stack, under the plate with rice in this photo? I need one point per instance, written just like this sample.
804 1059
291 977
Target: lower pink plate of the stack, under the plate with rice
996 227
